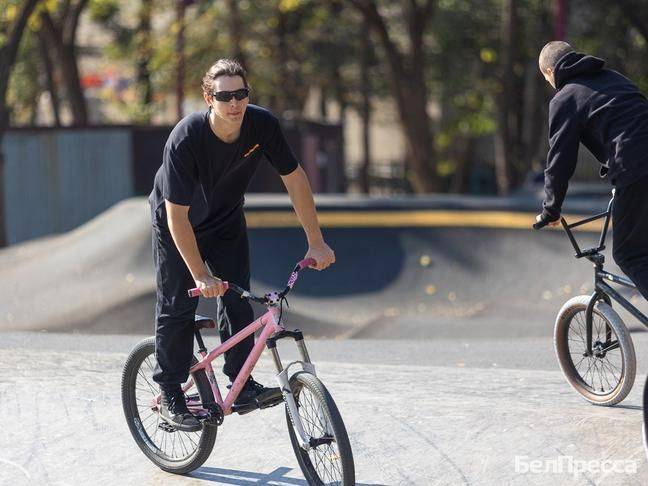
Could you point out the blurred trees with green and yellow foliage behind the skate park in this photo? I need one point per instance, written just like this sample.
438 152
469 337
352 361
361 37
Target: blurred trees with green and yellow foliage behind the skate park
478 77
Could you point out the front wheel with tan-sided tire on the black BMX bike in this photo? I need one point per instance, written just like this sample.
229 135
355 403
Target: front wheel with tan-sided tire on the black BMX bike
605 377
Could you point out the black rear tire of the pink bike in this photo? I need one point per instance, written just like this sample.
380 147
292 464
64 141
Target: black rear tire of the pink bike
208 437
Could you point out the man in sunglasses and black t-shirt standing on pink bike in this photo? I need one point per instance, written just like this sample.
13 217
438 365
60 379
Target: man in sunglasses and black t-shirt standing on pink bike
197 213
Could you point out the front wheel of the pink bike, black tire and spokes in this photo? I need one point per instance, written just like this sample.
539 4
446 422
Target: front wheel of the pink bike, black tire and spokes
344 474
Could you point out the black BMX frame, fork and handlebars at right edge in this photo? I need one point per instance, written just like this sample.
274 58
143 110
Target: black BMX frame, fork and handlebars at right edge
602 290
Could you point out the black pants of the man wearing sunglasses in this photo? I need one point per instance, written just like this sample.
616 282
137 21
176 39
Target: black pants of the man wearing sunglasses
228 255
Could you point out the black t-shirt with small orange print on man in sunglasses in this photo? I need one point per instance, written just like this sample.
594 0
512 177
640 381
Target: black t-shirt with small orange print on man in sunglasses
201 171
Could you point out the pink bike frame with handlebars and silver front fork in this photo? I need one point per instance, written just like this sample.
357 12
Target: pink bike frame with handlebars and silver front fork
273 330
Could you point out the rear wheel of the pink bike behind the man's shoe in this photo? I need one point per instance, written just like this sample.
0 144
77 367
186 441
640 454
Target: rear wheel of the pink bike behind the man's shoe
171 450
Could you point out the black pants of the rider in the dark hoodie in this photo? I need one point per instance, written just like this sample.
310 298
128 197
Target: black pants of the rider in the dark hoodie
630 232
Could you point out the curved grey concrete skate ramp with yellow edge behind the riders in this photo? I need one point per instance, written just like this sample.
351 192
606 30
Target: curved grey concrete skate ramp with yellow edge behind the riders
399 274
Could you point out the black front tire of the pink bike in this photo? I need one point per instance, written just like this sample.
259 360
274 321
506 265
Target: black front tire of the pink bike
318 390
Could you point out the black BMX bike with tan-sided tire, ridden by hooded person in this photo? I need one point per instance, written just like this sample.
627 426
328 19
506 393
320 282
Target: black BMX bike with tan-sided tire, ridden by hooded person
592 343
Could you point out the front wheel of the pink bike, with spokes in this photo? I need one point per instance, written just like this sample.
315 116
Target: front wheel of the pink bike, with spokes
330 462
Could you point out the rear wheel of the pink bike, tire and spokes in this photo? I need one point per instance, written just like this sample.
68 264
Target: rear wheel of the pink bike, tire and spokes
202 446
